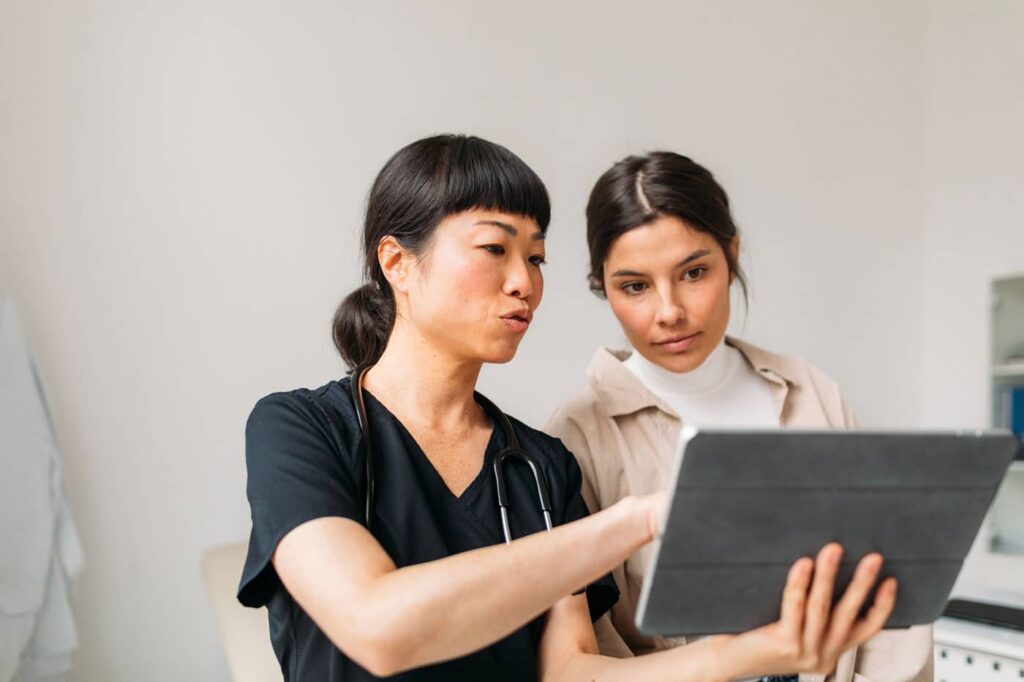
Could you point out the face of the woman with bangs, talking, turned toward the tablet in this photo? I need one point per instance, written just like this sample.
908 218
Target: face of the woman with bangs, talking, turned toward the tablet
477 288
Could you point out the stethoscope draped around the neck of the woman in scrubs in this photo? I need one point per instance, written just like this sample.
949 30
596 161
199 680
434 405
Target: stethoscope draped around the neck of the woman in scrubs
513 451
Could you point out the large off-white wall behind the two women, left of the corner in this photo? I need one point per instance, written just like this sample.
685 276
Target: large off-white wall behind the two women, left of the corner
181 193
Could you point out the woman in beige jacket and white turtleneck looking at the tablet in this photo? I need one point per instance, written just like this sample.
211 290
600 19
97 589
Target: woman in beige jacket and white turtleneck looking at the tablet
664 251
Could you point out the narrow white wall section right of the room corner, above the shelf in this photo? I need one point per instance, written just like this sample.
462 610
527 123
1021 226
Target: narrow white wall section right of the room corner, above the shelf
975 210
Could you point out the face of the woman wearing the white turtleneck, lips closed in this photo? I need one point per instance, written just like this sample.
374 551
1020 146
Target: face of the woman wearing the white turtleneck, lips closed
669 285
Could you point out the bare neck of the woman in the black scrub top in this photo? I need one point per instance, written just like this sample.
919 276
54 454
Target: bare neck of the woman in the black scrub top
423 385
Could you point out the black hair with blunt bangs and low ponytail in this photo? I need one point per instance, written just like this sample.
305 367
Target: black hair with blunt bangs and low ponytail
419 187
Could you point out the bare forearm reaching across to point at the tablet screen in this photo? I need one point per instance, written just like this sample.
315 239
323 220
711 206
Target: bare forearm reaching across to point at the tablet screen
452 607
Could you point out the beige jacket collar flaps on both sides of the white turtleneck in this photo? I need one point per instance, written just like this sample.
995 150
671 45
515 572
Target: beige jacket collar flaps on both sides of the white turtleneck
622 394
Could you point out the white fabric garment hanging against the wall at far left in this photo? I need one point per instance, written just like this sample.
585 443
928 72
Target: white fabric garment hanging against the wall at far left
41 547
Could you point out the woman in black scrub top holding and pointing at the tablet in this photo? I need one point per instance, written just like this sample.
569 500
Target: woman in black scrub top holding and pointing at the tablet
454 244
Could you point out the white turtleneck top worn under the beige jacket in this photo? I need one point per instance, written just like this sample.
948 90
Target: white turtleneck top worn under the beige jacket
724 392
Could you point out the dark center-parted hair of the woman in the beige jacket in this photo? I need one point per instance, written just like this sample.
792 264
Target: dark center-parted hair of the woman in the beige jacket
638 191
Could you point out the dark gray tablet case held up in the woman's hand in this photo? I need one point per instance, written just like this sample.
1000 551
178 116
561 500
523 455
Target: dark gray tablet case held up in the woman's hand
748 504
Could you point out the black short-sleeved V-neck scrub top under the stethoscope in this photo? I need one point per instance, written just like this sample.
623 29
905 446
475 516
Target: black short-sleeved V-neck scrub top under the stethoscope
303 454
